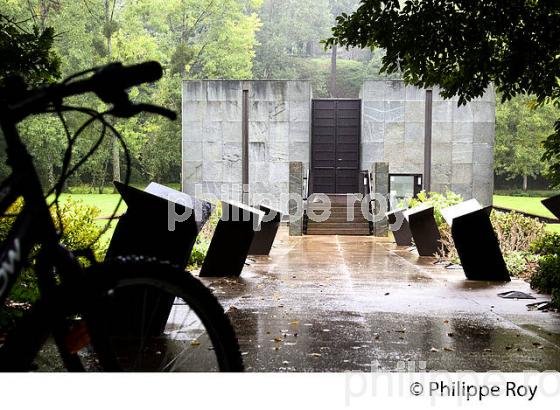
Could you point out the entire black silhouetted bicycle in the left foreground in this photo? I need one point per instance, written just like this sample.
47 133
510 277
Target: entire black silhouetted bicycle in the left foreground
131 313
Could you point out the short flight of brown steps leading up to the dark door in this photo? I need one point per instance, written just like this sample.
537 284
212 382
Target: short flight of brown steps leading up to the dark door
338 222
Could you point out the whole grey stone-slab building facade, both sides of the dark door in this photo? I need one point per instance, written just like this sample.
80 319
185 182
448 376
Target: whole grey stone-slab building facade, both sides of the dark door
279 132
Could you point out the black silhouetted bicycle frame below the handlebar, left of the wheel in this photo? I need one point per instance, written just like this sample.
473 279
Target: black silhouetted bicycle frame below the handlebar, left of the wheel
33 226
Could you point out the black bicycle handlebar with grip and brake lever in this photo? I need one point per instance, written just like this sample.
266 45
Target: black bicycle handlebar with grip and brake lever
108 82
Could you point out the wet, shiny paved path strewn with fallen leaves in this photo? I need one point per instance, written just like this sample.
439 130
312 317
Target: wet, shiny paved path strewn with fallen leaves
347 303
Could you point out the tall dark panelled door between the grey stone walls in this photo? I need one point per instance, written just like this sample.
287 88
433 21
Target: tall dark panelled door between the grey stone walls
335 146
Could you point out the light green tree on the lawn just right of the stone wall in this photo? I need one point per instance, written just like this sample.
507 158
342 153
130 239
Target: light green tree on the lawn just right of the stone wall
520 130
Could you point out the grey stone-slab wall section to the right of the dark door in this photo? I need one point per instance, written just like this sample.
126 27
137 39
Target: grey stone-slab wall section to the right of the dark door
462 137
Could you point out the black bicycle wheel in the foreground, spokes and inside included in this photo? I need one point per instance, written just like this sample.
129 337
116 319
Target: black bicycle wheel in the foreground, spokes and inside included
156 317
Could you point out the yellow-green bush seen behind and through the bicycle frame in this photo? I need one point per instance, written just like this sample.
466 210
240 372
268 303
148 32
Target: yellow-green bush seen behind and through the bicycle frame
80 230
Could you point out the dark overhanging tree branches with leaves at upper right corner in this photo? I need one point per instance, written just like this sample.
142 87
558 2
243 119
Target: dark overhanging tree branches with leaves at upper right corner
464 45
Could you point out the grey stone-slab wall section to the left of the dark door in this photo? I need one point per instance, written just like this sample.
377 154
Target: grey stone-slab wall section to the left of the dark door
279 132
